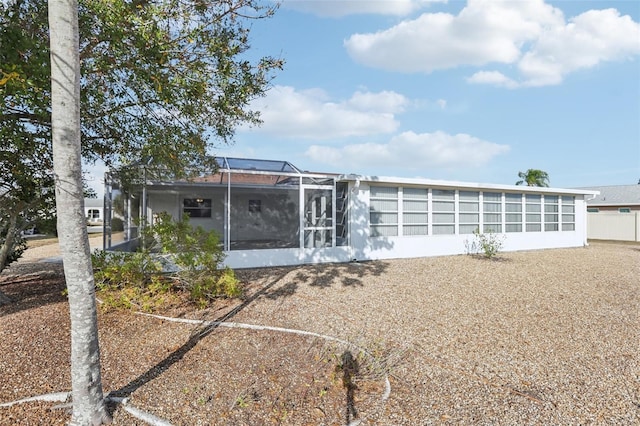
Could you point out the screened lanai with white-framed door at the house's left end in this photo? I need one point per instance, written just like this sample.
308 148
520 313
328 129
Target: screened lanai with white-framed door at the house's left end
252 204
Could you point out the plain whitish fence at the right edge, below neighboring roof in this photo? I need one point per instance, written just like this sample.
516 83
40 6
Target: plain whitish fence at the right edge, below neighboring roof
613 226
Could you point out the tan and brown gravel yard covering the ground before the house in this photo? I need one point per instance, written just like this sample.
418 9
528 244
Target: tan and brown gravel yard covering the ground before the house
540 337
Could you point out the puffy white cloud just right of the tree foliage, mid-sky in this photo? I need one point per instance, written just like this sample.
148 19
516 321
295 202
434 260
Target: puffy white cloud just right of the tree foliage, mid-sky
311 114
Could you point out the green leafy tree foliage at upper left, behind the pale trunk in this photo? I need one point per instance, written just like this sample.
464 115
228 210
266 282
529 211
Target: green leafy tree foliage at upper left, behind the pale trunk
163 82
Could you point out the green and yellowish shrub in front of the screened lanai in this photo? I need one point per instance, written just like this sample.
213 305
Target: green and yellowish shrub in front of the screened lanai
174 256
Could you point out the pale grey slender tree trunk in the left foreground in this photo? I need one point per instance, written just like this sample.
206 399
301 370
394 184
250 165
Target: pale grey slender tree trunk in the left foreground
86 383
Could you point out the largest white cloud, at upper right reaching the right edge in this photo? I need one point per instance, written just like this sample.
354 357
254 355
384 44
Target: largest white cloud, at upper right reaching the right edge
530 34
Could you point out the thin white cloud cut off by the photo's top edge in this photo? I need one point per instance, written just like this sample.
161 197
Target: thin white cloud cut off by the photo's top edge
339 8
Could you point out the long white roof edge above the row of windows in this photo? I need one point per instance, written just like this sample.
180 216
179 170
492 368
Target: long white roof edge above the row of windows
466 185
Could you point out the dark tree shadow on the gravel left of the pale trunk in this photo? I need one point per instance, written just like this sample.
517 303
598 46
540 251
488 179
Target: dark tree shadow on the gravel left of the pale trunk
31 285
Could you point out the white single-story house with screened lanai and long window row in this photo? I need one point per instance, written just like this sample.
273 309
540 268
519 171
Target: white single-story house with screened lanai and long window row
271 213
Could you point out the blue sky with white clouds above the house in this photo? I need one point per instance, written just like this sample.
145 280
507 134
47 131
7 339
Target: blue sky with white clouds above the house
460 90
